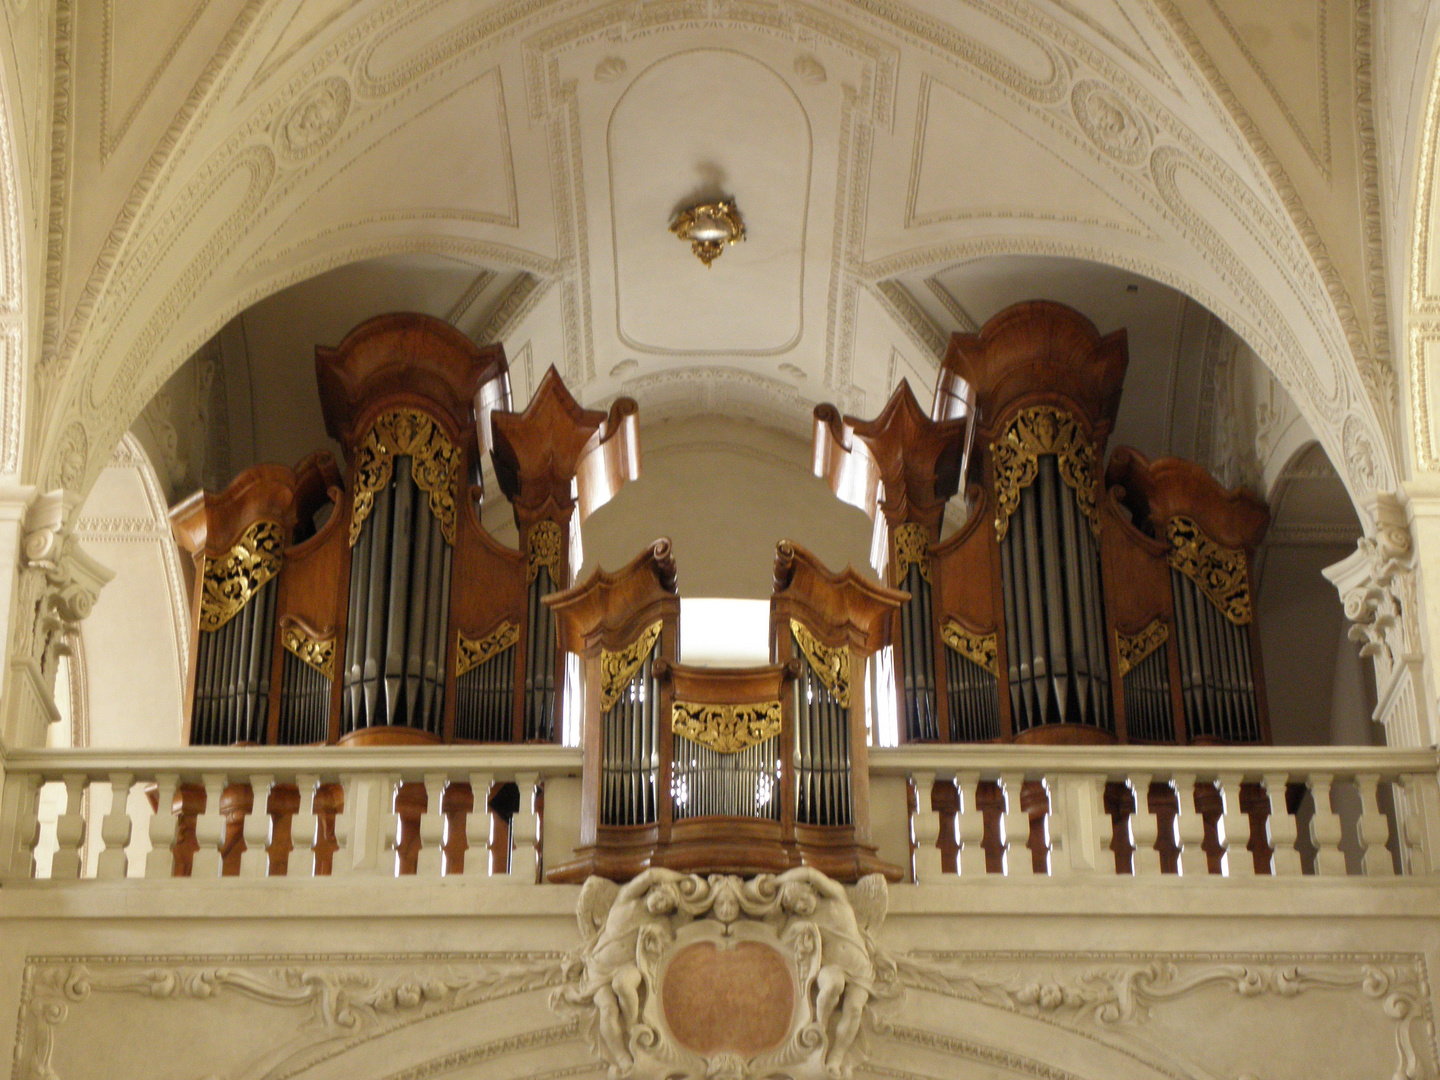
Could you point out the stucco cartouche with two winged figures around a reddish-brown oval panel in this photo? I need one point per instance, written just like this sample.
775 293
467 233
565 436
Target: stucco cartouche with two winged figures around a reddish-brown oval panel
778 977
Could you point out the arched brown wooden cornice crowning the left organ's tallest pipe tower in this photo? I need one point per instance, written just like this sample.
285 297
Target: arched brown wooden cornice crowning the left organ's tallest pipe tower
405 359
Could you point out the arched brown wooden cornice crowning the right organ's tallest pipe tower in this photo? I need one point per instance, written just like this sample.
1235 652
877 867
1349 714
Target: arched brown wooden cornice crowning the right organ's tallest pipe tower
1042 351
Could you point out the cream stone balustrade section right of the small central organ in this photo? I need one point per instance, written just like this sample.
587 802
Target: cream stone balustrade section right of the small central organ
984 813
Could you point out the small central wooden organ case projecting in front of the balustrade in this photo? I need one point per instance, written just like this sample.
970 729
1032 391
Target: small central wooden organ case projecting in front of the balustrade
725 770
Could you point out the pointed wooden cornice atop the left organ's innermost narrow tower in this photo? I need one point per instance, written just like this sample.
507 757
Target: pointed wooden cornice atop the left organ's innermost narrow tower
555 441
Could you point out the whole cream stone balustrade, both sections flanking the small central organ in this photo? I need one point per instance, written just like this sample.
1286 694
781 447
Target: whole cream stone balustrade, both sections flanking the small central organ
986 814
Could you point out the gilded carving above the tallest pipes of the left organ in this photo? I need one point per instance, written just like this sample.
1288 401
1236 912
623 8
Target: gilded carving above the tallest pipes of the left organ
434 466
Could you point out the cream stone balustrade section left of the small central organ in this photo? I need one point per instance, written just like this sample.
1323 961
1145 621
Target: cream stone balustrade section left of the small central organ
263 813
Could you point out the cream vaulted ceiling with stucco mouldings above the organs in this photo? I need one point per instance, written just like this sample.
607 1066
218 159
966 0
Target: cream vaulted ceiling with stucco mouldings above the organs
904 171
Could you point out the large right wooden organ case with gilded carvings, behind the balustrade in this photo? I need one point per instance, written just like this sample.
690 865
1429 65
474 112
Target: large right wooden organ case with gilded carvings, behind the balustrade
1065 608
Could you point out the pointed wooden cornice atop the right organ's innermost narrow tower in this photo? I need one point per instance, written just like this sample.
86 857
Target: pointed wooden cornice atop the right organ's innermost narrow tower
906 464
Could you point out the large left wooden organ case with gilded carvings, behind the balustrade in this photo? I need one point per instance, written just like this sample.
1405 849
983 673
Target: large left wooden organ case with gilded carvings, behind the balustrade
374 607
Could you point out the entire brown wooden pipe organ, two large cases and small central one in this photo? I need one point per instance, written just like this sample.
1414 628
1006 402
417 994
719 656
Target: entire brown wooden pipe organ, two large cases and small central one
1084 600
